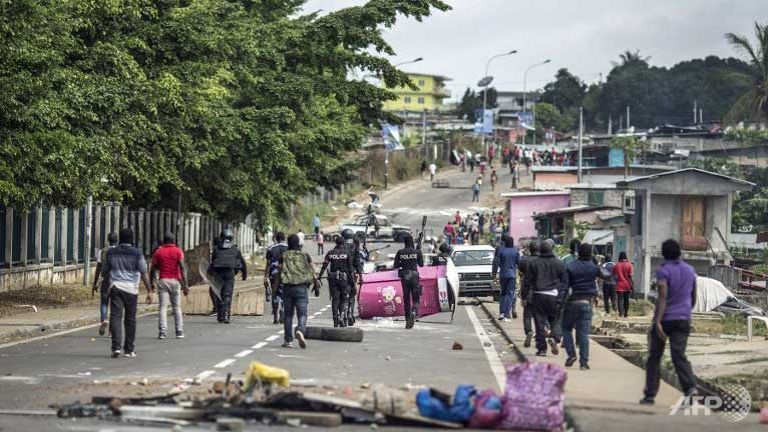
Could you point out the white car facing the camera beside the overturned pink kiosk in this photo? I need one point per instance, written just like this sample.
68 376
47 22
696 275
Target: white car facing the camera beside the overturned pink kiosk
474 265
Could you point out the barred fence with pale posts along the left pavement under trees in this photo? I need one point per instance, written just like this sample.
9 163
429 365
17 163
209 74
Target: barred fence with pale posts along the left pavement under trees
47 245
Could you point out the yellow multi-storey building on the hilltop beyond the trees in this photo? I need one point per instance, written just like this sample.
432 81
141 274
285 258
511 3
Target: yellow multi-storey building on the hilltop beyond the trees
429 95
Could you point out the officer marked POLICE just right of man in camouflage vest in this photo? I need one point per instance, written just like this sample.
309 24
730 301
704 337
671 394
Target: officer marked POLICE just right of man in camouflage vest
341 266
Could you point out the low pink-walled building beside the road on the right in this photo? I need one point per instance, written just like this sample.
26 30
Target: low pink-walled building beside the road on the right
523 205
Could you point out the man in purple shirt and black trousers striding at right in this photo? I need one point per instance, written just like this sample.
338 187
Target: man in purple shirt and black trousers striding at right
676 283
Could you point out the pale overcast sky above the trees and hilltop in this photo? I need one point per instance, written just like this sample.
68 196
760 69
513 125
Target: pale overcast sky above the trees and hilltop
581 35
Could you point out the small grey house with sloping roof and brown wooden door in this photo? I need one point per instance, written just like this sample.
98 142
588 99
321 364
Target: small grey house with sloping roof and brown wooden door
691 206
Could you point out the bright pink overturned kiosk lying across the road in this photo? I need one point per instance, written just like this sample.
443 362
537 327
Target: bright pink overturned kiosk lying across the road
382 295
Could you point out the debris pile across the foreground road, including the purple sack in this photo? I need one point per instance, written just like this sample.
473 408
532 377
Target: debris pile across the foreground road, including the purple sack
533 399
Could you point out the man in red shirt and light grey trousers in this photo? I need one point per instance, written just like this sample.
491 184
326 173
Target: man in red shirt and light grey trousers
168 261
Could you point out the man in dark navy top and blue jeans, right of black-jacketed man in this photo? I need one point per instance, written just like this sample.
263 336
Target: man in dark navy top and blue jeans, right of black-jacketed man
581 276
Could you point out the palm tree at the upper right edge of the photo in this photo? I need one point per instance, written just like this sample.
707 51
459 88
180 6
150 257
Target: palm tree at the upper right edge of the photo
753 105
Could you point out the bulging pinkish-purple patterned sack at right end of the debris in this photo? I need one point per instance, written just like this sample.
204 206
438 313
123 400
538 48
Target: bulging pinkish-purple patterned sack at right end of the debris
533 398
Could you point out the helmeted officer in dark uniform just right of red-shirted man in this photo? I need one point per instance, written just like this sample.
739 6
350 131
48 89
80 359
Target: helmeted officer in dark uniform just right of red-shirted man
227 261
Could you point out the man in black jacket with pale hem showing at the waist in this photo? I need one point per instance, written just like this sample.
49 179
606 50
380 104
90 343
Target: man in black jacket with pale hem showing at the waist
548 280
